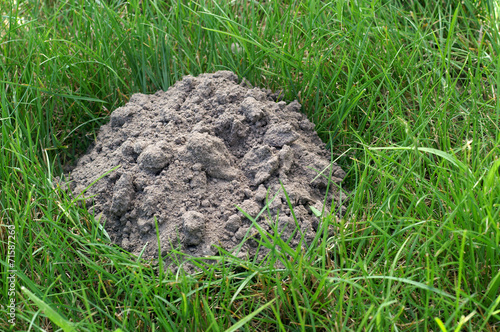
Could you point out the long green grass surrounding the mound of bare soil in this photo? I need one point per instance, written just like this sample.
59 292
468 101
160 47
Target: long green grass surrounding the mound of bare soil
404 92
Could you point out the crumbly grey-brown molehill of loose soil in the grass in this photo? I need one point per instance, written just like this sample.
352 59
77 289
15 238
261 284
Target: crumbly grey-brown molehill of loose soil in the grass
190 155
